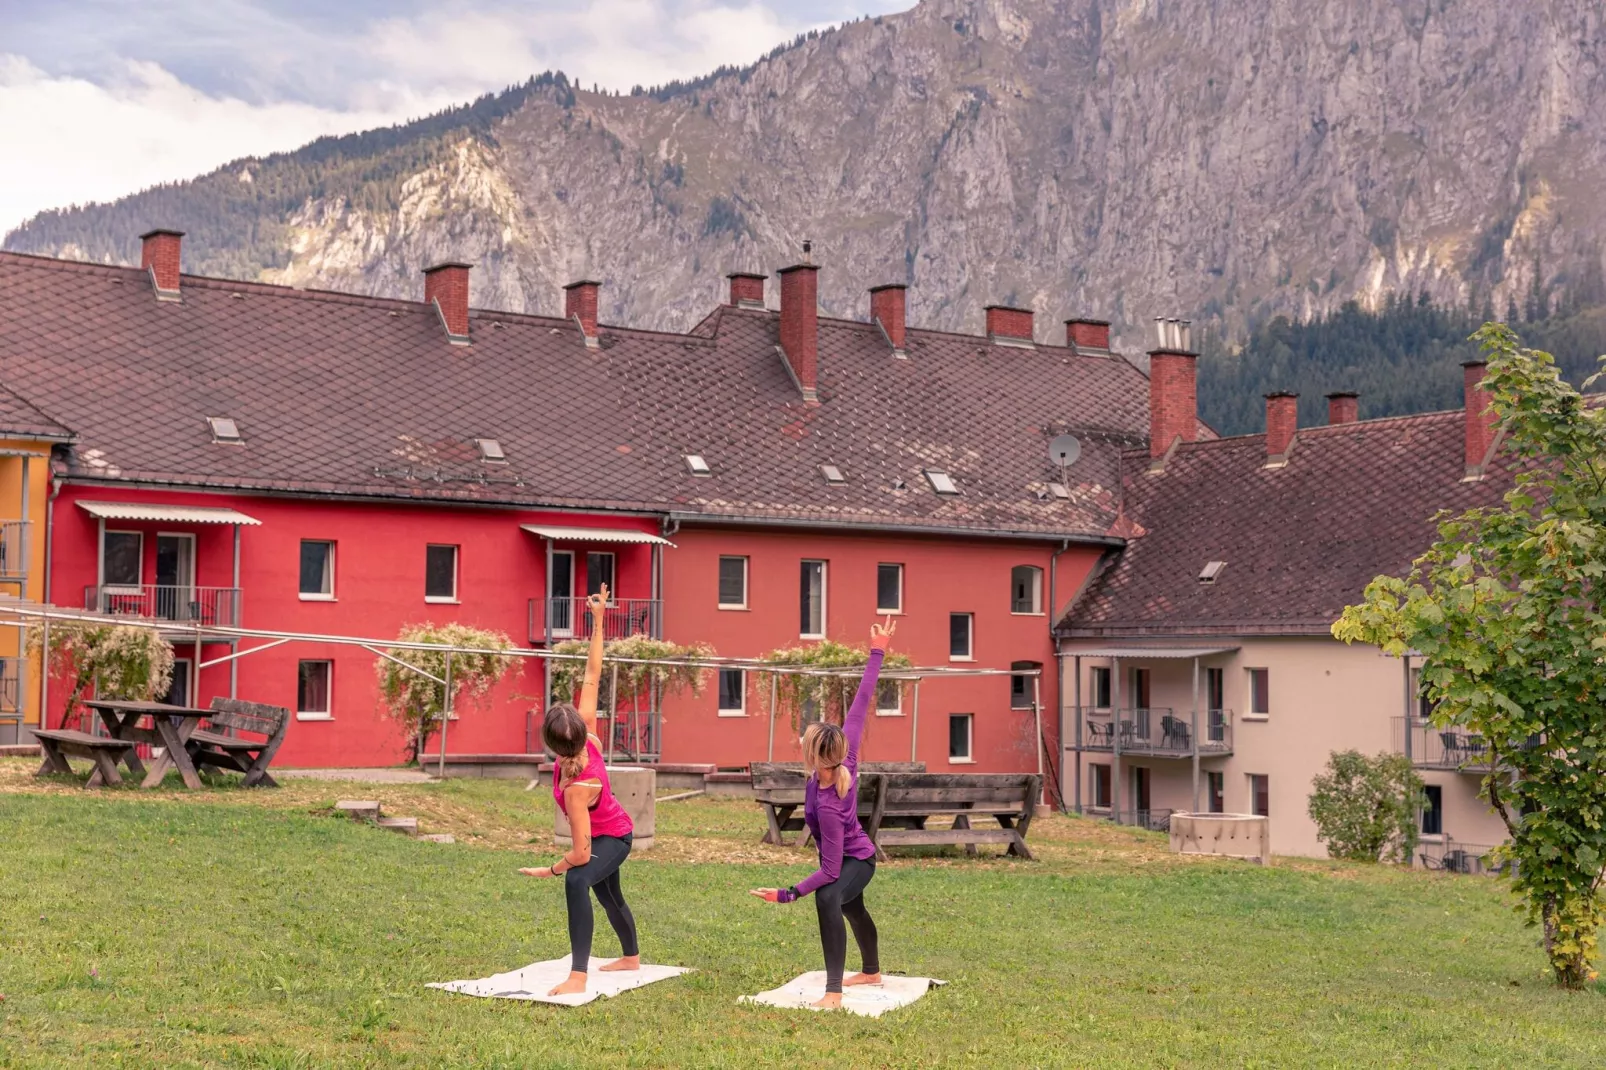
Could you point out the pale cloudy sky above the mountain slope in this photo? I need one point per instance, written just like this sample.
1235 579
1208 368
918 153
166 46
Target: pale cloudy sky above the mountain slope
100 99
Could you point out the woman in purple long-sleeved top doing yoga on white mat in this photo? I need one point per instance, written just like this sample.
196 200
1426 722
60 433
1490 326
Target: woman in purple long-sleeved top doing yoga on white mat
847 857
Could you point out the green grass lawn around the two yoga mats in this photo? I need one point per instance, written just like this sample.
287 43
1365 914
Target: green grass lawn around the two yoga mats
229 928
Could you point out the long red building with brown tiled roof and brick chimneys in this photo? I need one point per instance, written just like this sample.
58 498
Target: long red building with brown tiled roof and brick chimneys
340 465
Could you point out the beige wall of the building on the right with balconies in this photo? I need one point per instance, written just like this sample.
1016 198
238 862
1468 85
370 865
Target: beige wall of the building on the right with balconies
1324 696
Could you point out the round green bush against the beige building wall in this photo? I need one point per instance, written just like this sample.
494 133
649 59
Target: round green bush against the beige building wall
1366 809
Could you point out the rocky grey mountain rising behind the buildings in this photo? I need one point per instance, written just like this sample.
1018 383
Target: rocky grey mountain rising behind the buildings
1221 160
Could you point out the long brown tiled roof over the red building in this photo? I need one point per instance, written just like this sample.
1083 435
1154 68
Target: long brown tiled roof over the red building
357 396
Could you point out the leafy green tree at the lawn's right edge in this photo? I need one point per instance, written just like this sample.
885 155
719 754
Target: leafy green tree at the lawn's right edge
1506 610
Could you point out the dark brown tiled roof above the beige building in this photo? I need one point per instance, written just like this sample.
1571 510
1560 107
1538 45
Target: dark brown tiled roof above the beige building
1298 542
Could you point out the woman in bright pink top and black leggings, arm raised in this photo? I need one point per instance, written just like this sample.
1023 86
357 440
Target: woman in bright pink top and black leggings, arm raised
600 827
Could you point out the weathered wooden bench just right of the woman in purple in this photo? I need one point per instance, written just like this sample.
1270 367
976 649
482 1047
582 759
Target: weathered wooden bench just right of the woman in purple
908 801
